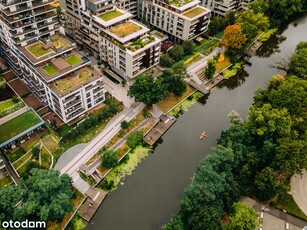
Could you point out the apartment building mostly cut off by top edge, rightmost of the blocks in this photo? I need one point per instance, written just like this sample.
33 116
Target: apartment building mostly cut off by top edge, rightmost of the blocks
221 7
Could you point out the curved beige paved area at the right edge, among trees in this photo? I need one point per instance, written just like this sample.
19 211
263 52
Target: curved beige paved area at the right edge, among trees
299 190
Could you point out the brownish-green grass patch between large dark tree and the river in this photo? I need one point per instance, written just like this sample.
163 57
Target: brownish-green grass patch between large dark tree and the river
172 100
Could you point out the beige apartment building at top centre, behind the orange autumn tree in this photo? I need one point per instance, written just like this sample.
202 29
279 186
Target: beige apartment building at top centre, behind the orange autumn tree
181 20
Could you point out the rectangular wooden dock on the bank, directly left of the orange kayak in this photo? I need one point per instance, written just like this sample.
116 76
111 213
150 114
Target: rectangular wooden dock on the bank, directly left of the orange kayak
164 124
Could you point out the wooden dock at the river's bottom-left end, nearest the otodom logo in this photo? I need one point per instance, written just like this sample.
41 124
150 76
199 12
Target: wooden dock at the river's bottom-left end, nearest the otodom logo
94 198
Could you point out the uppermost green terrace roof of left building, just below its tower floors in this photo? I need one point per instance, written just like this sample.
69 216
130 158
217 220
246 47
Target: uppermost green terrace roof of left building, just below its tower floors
39 51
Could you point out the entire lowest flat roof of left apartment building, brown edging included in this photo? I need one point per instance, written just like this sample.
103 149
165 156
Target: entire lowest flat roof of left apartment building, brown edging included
74 80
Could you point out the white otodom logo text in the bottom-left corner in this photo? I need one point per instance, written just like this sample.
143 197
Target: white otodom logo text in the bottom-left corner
23 224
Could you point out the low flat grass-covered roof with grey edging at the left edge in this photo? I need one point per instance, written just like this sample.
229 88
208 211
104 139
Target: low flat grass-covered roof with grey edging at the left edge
19 126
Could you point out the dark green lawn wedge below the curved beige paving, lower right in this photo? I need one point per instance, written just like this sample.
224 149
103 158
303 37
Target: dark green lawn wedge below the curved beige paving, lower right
286 202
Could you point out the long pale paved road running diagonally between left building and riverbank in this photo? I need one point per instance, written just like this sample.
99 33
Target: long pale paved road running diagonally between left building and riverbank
98 142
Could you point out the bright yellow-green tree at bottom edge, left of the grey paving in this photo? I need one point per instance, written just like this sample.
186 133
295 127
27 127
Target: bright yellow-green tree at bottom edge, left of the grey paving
243 218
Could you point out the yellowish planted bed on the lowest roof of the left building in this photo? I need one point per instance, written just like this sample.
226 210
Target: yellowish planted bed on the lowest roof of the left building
70 82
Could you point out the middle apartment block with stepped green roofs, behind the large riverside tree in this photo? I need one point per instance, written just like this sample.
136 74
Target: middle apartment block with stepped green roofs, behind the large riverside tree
110 34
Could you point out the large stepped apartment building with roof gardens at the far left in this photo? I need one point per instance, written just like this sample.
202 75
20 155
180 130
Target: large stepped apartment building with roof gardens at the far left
47 61
